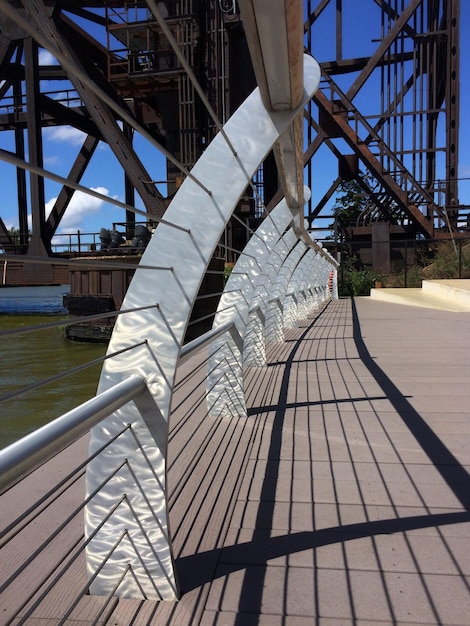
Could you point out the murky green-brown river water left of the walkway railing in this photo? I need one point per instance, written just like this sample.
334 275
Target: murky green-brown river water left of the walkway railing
28 358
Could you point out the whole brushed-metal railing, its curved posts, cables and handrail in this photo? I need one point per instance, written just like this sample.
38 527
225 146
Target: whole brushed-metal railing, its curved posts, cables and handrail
194 224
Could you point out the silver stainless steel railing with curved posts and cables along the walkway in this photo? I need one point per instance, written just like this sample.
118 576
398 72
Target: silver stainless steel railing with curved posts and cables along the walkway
126 542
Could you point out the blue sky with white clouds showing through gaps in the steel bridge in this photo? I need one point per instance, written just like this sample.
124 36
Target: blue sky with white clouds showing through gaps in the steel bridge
89 214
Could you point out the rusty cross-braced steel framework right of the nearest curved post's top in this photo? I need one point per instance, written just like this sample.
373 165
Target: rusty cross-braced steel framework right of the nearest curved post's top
391 117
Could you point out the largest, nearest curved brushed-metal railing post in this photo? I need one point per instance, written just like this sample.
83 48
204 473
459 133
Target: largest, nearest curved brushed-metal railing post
141 518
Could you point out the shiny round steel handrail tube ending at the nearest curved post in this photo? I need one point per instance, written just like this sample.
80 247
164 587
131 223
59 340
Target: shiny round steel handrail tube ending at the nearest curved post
27 454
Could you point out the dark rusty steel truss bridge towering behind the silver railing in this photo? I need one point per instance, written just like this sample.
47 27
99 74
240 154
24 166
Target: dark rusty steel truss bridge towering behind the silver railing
386 115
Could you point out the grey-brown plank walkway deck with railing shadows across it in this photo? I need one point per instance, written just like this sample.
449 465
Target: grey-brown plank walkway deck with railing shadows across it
342 499
